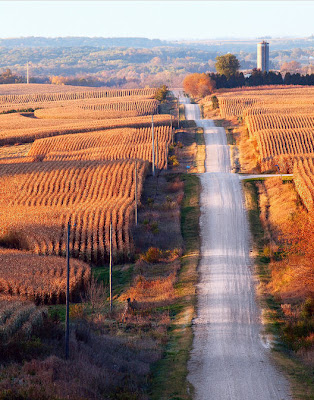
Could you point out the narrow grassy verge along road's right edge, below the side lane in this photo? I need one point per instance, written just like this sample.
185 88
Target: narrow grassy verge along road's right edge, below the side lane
300 377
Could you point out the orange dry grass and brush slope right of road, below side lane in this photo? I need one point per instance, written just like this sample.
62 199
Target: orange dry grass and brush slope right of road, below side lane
289 226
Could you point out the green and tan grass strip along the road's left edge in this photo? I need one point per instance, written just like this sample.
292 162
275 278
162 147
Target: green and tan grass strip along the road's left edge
170 373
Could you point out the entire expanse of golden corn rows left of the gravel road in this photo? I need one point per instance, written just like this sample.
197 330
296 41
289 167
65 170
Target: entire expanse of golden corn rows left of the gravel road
79 170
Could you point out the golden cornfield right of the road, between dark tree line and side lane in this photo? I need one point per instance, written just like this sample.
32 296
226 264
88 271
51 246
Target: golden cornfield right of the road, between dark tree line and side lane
279 121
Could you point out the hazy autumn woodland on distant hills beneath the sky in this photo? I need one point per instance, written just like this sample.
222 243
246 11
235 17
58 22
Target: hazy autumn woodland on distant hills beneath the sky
134 62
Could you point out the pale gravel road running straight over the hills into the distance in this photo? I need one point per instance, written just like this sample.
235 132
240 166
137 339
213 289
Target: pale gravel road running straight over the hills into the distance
230 358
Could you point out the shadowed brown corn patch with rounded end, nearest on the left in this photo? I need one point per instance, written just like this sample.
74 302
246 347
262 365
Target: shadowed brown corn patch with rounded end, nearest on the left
40 279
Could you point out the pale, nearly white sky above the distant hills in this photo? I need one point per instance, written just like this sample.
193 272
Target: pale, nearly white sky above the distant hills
172 20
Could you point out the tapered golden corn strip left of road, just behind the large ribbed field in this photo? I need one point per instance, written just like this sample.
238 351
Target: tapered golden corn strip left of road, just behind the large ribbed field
107 145
